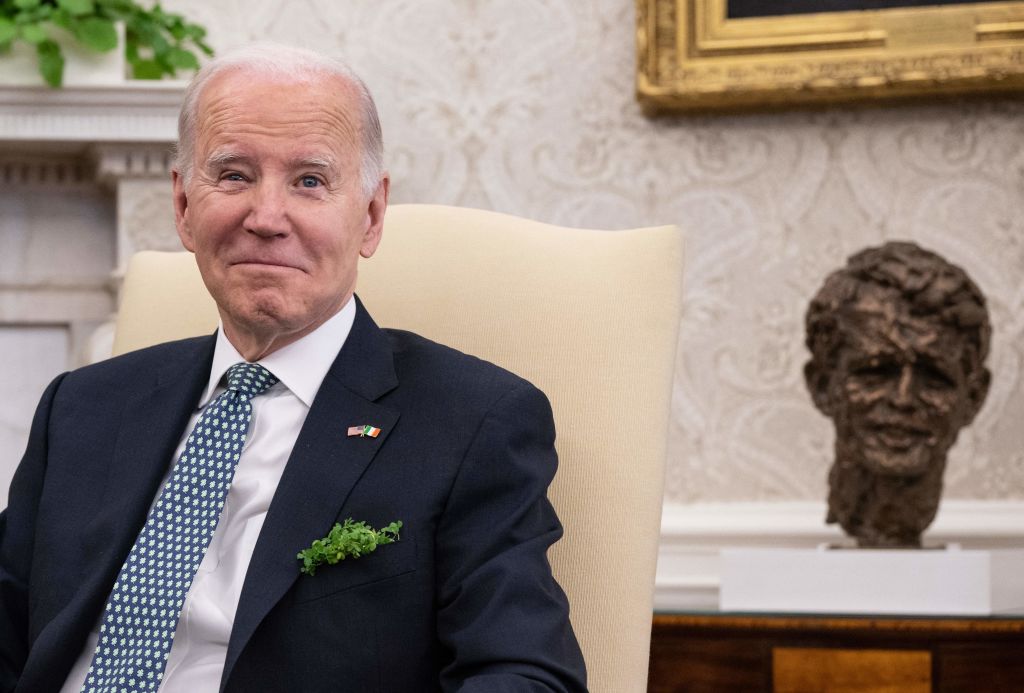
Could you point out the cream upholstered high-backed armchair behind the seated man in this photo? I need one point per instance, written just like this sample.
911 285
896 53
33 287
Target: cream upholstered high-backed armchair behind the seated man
591 318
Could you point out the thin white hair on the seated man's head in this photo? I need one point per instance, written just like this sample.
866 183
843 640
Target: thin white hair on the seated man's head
284 63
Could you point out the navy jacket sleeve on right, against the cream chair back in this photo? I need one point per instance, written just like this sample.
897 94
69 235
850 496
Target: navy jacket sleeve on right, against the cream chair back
501 613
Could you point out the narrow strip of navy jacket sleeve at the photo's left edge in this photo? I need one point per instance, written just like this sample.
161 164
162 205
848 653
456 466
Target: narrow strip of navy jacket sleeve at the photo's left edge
17 535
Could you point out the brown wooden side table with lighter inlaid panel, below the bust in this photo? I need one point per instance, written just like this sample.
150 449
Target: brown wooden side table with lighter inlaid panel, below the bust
747 654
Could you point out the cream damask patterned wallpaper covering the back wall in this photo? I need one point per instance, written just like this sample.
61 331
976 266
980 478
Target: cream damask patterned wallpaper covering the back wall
527 107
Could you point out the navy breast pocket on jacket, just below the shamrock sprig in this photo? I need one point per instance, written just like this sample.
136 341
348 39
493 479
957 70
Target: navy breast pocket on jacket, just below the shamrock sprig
391 560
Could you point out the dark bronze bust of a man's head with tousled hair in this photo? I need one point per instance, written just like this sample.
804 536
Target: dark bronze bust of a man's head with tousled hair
899 341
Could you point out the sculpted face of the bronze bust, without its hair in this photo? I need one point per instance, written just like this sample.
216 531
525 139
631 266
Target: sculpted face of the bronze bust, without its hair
901 394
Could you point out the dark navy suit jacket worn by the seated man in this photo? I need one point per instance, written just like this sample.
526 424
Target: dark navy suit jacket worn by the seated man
465 601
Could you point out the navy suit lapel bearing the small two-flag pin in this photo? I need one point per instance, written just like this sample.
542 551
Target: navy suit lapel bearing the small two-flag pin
324 467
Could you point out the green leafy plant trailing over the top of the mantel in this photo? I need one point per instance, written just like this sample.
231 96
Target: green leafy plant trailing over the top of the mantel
157 44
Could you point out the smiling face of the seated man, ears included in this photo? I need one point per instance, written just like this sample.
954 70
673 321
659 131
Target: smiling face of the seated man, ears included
275 211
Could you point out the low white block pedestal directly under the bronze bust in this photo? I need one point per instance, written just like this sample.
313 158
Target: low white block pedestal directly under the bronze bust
949 582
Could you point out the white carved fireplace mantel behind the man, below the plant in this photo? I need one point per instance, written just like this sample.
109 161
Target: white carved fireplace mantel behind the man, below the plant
84 174
